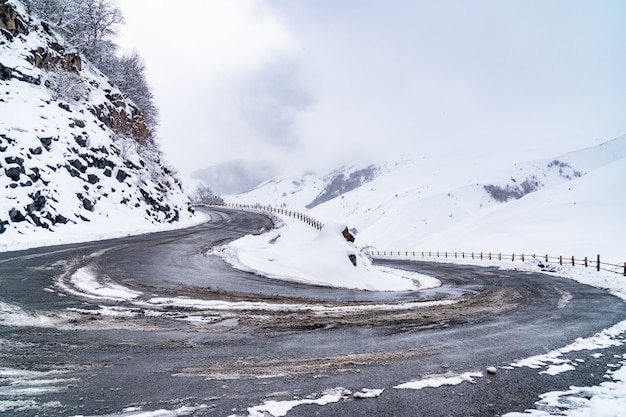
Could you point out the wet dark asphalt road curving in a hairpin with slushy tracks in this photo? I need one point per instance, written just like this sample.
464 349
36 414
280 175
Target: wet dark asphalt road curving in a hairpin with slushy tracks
86 362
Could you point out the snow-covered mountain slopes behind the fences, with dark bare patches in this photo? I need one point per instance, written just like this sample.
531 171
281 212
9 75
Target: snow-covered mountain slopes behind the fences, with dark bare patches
569 204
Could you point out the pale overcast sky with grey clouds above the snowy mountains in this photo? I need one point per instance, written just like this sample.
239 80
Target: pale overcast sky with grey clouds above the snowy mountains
317 83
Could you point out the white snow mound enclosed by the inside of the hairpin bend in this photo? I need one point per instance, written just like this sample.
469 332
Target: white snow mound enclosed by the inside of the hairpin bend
298 252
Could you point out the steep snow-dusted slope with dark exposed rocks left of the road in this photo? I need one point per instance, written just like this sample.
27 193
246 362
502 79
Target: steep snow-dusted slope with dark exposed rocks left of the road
72 147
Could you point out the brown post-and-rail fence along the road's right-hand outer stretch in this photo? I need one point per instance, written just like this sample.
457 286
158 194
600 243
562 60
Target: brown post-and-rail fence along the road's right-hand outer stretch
586 262
